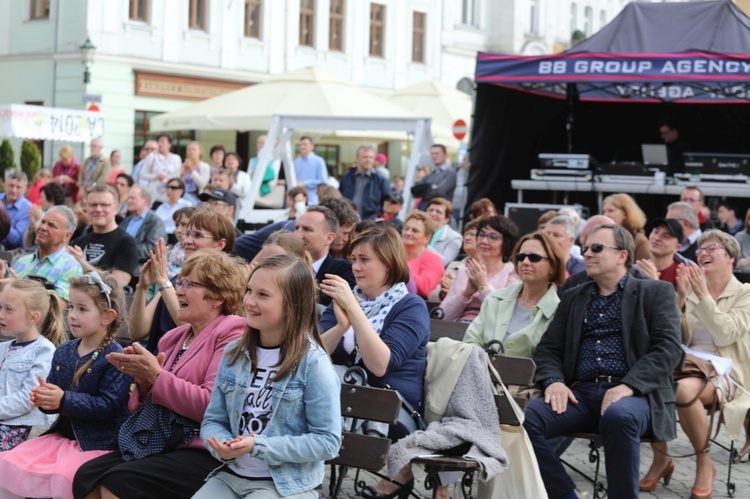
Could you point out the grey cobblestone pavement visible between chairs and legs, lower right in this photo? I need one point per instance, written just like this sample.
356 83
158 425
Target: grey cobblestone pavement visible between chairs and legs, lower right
577 454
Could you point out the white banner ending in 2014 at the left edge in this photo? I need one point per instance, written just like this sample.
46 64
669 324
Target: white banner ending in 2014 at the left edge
49 123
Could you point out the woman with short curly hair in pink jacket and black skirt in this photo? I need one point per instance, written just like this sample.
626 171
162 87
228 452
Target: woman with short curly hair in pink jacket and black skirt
160 452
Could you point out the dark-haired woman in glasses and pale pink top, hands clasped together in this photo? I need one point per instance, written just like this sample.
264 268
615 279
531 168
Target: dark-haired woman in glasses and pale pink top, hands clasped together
496 237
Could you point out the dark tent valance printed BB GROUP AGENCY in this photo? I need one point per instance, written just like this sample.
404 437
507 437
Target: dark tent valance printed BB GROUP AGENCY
696 77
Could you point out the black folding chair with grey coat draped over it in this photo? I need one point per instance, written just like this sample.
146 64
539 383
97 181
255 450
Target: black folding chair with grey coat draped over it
518 371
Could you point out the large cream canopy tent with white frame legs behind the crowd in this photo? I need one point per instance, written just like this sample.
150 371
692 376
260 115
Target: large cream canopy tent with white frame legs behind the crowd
308 99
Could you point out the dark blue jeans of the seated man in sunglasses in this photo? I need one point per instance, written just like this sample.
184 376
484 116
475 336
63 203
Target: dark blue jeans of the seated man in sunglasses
621 428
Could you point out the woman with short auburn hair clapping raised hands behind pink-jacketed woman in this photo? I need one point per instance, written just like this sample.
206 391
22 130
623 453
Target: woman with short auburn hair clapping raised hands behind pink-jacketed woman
205 229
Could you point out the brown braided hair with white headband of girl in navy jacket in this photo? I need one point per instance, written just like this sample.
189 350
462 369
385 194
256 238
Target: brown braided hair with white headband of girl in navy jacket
102 287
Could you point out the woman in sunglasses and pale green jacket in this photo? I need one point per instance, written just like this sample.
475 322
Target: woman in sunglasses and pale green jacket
518 315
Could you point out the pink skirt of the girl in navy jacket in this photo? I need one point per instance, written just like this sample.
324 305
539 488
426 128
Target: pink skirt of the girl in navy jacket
43 467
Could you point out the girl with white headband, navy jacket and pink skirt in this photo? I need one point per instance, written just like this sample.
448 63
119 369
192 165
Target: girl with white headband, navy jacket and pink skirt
89 394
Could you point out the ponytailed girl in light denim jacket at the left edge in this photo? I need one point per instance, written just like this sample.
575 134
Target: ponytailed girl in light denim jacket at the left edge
26 310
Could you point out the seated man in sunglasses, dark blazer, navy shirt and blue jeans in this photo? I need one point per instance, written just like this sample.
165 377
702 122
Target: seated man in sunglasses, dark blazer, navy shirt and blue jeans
605 364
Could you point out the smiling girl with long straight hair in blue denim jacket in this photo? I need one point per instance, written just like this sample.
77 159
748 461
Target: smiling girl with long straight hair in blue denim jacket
276 418
